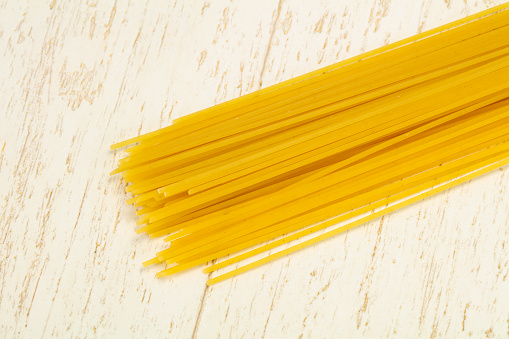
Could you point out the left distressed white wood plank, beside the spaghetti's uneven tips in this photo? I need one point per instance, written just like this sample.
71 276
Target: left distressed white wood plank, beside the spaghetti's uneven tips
75 78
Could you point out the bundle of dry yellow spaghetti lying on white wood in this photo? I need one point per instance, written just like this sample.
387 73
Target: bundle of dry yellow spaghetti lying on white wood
339 146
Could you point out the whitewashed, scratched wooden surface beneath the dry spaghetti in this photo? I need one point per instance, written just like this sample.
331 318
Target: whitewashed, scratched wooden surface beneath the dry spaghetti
78 76
